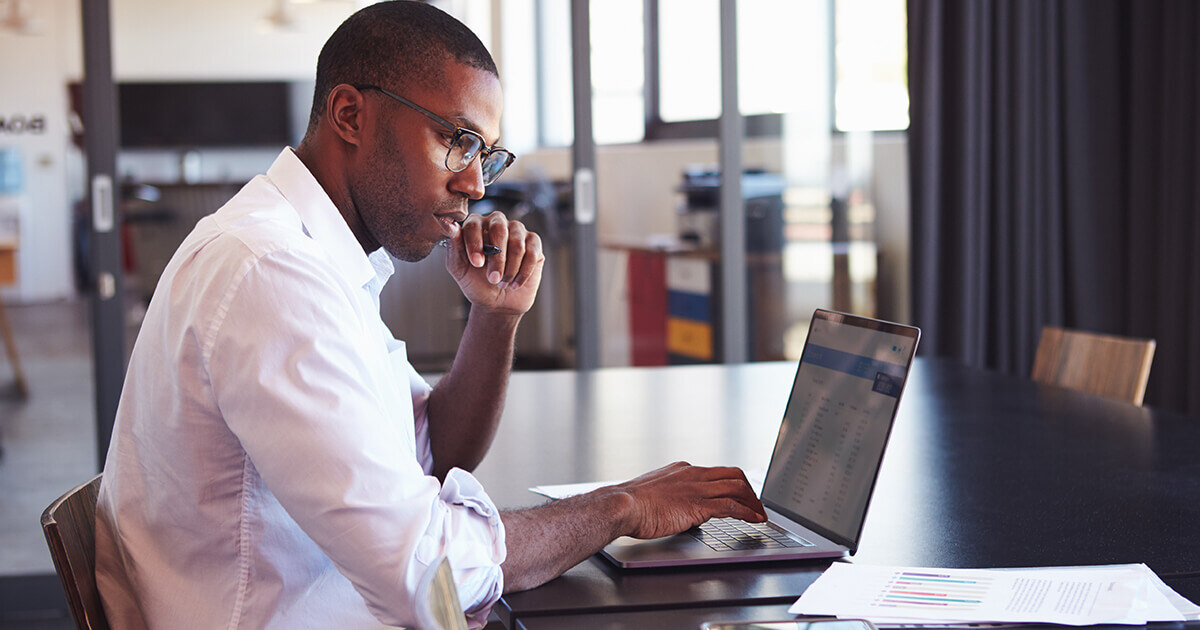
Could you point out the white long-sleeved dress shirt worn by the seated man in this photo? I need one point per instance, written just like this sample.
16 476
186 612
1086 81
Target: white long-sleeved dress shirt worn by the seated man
271 463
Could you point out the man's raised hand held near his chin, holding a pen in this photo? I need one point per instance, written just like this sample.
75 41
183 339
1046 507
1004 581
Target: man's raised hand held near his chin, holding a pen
506 283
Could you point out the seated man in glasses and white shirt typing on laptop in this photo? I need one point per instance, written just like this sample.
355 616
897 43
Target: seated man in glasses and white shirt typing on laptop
277 461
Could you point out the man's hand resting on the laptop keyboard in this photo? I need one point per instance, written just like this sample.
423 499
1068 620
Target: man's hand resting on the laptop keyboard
681 496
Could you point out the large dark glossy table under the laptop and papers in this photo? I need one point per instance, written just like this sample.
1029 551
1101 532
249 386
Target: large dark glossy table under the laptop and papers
982 470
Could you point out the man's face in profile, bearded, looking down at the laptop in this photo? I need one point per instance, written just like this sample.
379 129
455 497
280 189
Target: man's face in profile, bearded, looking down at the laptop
403 190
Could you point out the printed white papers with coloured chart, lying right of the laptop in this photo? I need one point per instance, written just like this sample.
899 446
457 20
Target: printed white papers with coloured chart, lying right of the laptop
1073 596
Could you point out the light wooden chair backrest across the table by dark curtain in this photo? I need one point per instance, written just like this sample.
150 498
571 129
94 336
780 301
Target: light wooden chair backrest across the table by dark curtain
1106 365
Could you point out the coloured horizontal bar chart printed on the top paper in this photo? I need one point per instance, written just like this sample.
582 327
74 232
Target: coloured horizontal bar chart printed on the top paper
913 591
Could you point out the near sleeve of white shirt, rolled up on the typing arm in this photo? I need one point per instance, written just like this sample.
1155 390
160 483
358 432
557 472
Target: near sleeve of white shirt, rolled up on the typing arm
337 439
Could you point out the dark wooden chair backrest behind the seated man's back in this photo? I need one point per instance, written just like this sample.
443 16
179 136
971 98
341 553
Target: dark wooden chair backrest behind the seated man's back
70 529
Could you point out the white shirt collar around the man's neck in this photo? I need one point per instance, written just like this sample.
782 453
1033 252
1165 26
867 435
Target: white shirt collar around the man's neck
322 220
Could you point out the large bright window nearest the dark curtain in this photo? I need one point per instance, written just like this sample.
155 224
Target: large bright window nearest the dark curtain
868 56
